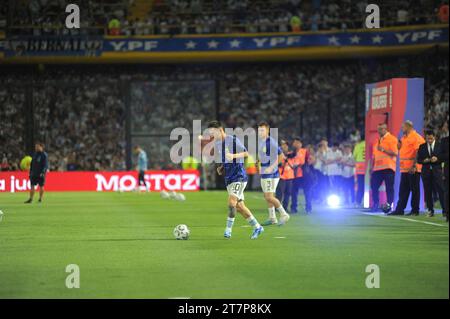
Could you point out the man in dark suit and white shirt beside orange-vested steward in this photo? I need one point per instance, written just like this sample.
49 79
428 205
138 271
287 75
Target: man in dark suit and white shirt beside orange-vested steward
429 155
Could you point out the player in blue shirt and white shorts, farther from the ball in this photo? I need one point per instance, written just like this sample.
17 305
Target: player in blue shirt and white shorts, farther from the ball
269 155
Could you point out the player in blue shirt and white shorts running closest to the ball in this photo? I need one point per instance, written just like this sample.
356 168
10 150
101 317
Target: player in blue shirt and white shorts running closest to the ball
230 153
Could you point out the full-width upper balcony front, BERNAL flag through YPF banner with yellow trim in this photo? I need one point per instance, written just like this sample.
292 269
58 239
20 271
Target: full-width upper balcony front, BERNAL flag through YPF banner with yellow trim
96 47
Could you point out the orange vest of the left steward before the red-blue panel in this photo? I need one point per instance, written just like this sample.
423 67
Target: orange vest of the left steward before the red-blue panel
381 159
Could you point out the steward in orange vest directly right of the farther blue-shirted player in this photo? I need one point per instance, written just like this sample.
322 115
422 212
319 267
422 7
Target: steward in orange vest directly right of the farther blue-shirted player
286 169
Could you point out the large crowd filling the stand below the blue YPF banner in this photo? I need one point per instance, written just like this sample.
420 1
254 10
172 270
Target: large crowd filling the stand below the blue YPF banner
80 112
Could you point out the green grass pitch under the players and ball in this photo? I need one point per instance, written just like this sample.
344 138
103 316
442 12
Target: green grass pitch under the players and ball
124 246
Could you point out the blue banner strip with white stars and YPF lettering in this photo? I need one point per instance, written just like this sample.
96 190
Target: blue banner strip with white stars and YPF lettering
211 44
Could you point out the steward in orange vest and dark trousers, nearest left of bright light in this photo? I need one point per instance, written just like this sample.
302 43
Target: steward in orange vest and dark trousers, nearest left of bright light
300 158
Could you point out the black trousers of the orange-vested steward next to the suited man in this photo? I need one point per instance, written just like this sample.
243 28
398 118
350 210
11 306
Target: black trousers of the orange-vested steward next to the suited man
409 183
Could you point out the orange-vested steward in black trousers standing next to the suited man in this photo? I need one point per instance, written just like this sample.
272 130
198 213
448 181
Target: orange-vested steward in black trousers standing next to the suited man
410 170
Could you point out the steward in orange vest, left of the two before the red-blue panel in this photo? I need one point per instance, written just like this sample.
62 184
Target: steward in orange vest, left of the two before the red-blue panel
384 162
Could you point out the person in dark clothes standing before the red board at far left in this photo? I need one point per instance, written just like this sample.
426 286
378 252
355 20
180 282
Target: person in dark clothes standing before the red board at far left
38 169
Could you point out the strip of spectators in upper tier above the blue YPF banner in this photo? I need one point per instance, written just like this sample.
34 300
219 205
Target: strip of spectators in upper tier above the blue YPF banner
208 16
